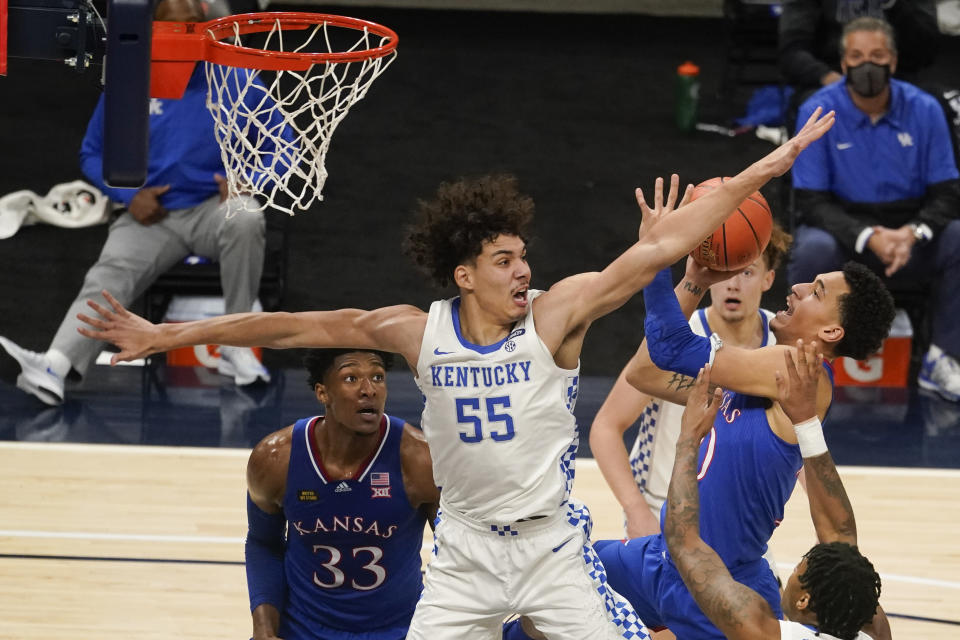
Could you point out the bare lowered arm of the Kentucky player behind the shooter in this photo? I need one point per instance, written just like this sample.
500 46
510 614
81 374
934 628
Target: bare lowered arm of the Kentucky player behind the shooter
620 410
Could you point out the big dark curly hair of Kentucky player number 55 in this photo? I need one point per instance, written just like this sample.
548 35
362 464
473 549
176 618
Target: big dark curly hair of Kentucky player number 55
452 226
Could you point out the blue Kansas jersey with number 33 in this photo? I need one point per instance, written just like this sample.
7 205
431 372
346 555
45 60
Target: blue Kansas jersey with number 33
353 546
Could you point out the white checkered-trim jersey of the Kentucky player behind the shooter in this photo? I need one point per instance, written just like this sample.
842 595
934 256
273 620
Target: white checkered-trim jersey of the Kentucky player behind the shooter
651 458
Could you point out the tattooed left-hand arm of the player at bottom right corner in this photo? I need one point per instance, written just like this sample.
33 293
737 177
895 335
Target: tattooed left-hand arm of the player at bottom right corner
739 612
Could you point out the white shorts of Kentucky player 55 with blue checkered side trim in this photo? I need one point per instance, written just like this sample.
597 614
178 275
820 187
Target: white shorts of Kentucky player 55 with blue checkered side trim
545 569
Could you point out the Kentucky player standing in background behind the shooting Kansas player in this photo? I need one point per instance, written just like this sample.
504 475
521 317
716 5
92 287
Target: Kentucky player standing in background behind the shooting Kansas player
639 480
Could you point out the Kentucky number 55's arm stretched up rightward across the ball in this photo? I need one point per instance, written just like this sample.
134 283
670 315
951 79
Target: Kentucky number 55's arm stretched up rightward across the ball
571 307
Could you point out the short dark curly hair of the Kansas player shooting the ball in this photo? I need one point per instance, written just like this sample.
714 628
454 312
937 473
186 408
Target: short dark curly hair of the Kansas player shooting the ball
866 312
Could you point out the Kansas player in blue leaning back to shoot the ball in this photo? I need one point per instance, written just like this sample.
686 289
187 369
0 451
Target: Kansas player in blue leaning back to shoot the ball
750 461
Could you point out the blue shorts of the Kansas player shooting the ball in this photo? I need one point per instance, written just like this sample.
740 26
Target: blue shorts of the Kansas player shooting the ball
642 572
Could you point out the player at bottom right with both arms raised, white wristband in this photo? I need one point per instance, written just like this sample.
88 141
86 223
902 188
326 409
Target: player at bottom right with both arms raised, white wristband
834 591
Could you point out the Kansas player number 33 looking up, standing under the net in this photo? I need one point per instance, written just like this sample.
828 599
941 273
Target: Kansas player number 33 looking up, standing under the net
336 511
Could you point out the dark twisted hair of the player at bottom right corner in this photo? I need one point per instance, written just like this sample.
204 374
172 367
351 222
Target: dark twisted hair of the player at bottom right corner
843 586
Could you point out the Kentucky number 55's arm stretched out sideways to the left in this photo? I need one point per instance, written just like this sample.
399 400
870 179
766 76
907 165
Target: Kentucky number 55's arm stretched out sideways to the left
398 329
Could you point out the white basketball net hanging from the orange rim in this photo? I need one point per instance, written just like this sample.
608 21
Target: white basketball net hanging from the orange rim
255 113
